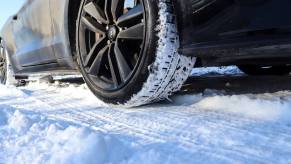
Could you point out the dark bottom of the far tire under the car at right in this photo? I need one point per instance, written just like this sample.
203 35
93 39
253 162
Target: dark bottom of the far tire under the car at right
265 70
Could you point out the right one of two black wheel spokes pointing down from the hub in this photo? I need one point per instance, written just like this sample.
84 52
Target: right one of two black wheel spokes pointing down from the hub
123 67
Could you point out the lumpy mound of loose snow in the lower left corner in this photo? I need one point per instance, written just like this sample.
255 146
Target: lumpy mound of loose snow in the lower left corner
34 139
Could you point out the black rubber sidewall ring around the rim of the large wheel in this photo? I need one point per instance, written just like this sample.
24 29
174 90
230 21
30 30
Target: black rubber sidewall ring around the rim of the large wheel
141 74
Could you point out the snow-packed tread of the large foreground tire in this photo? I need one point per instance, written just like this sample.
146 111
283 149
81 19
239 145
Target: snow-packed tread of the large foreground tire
170 69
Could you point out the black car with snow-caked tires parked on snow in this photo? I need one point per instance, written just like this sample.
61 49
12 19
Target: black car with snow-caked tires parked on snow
134 52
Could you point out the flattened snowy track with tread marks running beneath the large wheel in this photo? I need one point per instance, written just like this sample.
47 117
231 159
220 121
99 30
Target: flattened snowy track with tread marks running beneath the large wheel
205 133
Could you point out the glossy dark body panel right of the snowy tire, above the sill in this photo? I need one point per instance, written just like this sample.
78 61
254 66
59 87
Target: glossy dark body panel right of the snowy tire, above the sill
229 24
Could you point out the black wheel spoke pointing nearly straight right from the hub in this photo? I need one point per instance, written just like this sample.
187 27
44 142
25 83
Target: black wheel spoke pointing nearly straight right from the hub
135 32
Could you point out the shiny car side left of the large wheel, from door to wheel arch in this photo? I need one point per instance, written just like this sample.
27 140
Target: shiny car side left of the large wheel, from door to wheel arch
37 37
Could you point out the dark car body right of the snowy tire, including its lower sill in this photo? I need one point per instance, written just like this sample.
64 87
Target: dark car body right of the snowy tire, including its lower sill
231 32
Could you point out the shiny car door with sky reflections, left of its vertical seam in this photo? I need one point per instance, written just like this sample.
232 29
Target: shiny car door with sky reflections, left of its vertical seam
32 30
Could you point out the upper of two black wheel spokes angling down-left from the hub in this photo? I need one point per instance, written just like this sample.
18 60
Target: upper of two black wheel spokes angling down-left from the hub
94 50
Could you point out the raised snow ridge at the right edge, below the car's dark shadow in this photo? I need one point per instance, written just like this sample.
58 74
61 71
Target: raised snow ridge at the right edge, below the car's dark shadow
250 107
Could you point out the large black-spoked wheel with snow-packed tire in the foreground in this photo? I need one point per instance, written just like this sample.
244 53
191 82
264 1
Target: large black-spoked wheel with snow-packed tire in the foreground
127 50
